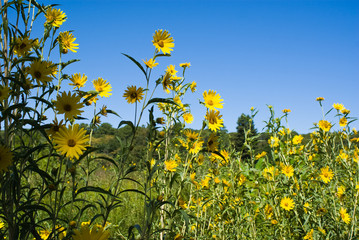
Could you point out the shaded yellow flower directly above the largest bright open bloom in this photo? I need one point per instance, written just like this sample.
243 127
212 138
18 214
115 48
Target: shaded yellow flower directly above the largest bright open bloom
69 104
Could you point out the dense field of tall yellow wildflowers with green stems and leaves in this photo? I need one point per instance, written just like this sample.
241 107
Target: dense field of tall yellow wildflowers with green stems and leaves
188 184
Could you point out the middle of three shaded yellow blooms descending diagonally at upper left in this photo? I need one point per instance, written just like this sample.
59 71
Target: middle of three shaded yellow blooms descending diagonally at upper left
40 71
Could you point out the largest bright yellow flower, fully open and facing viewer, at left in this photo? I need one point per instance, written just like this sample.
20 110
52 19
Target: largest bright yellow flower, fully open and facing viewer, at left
71 141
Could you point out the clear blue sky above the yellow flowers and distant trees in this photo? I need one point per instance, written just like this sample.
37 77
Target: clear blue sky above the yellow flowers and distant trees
253 53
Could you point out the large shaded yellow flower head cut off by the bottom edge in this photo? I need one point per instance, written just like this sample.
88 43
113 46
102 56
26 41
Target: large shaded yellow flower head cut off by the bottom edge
97 232
